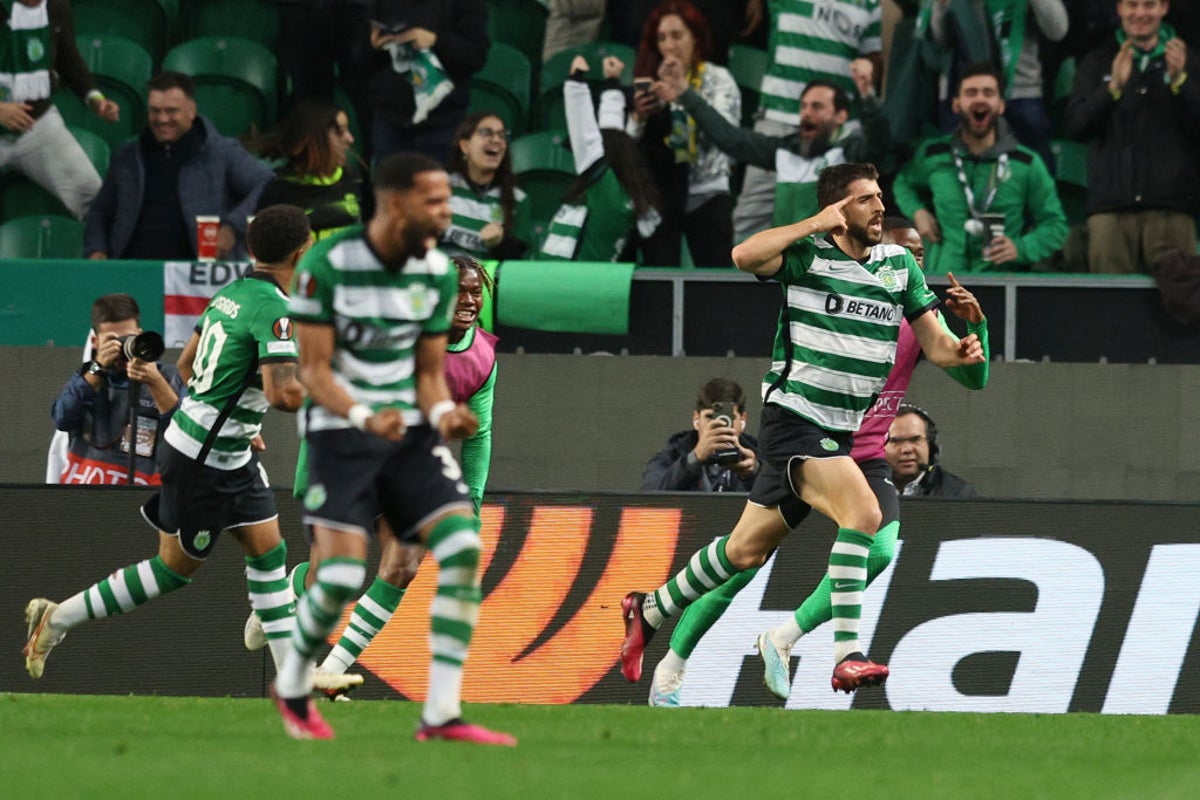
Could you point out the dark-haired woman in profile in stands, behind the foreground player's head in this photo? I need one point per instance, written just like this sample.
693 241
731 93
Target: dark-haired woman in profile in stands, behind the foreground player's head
320 175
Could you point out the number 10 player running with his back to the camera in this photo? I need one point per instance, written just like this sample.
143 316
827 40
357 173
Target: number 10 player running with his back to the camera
241 362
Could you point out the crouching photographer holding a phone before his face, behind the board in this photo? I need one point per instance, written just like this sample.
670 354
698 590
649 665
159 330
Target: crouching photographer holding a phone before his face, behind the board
717 455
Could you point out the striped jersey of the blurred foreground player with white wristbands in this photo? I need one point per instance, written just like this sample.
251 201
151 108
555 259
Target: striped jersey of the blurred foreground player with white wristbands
377 318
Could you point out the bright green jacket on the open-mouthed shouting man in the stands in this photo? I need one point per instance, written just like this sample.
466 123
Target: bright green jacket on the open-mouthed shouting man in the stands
1024 193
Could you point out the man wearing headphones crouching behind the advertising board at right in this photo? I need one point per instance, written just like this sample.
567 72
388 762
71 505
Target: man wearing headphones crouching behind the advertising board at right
913 453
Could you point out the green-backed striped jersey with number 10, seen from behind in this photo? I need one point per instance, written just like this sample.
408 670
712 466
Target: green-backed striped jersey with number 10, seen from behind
244 326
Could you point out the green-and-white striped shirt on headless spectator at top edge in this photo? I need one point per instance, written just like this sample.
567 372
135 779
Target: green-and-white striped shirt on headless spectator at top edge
815 40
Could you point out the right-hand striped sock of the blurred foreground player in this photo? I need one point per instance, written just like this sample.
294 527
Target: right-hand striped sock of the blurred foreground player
455 545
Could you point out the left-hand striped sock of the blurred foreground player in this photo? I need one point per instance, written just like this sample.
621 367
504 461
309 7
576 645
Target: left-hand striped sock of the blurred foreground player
317 613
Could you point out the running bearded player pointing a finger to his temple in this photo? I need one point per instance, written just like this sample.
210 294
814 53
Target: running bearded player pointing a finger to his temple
845 299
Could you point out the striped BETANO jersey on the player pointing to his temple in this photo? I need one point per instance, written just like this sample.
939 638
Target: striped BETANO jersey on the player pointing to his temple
838 329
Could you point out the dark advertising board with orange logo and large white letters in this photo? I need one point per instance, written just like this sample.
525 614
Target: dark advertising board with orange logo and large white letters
991 606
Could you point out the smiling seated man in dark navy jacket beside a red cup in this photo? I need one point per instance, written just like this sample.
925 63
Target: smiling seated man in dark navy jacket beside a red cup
179 169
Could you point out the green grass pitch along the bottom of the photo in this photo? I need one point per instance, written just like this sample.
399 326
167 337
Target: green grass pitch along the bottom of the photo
82 747
